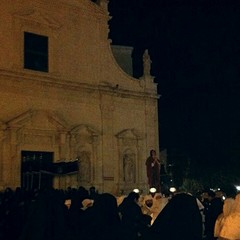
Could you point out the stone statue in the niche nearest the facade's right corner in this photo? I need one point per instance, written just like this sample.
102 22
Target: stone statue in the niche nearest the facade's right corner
129 167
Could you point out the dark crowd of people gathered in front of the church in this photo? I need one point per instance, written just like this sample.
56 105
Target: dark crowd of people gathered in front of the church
81 214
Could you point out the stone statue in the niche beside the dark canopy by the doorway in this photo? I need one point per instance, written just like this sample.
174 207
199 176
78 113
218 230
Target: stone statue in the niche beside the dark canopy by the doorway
84 166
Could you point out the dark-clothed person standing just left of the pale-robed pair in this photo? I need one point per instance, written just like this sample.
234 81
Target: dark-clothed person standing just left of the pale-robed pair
212 209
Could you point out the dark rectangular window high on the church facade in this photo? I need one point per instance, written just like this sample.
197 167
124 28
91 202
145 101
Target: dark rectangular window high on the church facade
35 52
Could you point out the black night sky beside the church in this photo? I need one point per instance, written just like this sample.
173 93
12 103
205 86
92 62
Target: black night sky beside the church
195 51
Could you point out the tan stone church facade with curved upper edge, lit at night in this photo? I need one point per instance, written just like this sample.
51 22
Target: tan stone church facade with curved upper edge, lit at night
64 99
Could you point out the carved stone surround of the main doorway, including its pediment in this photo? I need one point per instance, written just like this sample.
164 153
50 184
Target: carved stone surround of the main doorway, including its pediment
36 130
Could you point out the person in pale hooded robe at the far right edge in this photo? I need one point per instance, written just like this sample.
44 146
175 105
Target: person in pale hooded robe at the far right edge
231 226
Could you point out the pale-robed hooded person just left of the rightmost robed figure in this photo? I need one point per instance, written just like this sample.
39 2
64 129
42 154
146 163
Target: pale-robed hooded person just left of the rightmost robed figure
227 209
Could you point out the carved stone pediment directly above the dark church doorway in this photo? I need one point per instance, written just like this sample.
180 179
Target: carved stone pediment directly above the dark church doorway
38 119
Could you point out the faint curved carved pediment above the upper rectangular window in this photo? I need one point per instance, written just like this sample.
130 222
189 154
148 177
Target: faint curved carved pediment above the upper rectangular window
33 15
